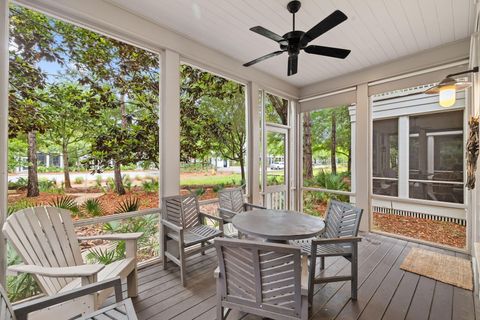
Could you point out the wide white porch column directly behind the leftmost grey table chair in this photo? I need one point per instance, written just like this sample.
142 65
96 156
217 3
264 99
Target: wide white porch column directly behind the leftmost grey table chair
170 124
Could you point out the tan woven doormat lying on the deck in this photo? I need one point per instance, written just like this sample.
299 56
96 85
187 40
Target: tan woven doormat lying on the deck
441 267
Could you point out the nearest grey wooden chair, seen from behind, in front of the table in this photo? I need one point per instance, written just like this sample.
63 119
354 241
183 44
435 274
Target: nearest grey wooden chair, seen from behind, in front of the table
261 279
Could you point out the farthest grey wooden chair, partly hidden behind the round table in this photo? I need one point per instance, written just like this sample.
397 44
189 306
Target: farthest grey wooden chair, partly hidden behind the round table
231 202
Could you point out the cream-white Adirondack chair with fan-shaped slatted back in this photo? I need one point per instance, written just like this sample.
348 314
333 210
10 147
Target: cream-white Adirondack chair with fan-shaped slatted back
45 239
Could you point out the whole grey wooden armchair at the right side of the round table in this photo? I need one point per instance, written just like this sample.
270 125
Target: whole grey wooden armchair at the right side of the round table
339 239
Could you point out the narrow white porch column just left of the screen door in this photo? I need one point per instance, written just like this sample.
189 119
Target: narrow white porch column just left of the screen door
253 143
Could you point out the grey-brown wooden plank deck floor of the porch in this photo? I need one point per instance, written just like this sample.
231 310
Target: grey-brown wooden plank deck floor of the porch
385 291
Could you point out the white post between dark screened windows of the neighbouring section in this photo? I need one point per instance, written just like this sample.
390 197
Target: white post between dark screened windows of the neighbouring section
403 156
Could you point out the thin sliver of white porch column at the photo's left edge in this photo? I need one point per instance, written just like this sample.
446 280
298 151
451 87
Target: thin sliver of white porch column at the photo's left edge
3 131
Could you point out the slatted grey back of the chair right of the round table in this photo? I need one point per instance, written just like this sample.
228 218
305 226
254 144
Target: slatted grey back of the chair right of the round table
342 220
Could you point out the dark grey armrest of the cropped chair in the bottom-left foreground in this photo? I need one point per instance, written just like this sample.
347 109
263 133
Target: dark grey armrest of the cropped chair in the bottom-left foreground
23 309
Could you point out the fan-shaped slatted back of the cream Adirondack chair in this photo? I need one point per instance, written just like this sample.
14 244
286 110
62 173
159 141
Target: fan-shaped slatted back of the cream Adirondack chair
45 236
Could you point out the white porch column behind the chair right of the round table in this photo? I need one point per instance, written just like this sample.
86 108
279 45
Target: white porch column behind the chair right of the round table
362 155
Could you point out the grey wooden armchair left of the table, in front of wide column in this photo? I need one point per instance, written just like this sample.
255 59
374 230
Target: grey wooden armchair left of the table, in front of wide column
184 231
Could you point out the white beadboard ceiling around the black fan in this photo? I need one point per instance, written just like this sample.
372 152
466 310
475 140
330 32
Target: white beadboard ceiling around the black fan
377 31
